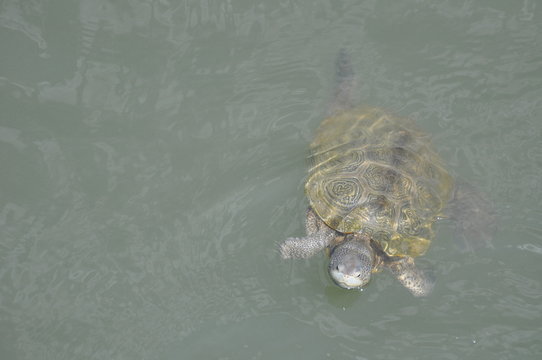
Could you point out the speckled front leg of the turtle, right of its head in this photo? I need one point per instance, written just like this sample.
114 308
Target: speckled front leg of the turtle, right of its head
419 282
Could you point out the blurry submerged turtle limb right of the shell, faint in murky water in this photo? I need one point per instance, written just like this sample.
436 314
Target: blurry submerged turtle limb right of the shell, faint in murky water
474 218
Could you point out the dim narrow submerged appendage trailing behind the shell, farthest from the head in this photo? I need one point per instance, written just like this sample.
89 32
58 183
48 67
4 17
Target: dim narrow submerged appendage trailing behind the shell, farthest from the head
345 81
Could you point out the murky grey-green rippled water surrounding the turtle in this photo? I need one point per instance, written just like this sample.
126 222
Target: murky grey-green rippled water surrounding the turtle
152 156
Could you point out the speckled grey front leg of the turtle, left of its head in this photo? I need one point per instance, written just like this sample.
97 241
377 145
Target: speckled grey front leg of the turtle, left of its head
319 236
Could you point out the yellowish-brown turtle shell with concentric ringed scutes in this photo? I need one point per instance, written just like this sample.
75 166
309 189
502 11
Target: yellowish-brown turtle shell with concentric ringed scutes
377 174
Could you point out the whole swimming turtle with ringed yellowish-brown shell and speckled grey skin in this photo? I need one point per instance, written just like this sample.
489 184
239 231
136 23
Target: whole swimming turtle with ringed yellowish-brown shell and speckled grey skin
375 187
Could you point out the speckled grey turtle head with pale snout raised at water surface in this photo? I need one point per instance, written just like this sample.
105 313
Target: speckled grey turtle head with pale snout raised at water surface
351 264
